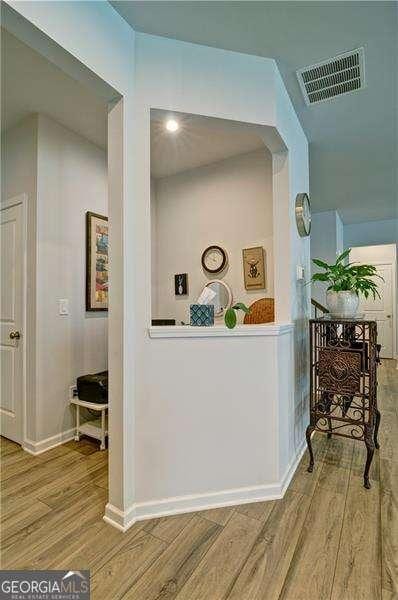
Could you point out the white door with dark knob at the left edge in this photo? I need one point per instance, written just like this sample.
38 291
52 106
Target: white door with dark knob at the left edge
11 321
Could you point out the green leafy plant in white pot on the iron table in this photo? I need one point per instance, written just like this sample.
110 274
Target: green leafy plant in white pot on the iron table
346 282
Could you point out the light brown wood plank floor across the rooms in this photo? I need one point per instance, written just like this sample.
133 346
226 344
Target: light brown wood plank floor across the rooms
328 539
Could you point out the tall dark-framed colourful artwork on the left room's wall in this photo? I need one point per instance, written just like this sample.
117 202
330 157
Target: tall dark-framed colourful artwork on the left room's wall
96 262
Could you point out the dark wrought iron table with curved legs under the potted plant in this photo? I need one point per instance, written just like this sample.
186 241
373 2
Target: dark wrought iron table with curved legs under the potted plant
343 384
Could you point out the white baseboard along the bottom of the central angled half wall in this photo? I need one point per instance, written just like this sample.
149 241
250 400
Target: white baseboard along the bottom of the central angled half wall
141 511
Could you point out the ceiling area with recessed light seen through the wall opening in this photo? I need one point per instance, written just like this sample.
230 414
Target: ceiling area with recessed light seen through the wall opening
199 141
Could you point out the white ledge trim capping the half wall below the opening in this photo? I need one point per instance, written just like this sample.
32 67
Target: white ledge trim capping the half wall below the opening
187 331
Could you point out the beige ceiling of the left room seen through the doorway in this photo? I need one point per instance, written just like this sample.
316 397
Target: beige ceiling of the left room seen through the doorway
31 84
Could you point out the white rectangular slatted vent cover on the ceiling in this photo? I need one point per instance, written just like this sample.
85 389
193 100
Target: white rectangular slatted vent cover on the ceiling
342 74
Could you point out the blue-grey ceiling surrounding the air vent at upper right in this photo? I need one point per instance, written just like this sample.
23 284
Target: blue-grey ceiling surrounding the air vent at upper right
353 138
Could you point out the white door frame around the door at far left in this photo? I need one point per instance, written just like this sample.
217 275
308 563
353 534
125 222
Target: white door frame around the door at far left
22 200
